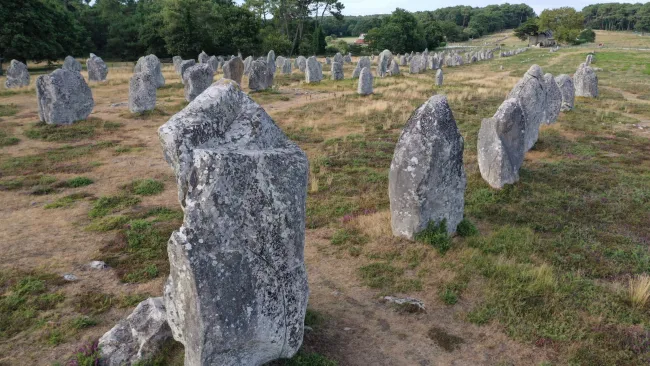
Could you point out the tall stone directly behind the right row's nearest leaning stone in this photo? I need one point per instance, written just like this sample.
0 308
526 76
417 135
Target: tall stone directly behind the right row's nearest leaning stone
530 94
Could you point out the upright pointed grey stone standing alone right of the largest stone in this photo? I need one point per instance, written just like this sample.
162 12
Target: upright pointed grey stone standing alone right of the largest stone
427 179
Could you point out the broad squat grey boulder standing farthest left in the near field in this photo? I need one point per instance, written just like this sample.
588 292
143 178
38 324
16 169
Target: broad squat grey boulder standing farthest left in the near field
63 97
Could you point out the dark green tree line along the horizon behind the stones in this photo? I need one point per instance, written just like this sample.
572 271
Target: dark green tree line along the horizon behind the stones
127 29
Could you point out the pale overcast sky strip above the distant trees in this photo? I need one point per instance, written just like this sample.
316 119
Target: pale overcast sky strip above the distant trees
367 7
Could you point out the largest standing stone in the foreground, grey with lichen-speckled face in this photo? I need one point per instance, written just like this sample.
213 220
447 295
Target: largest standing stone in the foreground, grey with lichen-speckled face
237 290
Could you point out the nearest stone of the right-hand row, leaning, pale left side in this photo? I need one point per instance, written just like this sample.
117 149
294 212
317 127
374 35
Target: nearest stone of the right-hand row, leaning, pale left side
501 145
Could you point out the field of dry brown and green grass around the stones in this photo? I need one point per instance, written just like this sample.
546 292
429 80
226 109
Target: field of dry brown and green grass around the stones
550 271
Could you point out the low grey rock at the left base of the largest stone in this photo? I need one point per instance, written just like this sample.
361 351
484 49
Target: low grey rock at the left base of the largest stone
139 337
